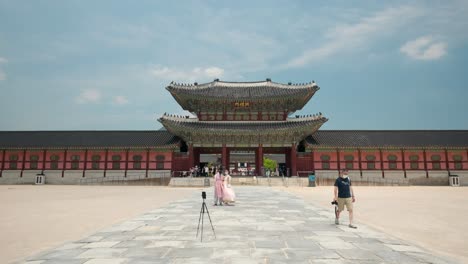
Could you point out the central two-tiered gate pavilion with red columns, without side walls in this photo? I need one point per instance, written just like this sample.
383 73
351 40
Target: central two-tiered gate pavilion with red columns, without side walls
237 124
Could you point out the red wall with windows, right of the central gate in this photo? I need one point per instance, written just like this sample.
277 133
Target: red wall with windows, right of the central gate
400 167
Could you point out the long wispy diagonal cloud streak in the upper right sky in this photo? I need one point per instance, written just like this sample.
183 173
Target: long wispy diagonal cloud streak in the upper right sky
348 37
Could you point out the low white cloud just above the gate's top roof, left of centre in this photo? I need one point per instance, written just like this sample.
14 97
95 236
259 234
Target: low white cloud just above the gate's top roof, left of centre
181 75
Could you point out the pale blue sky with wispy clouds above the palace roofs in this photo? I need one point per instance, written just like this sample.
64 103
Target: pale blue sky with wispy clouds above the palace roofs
104 65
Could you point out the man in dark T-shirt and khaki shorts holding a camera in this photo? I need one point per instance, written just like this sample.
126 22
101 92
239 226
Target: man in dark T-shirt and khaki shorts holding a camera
344 195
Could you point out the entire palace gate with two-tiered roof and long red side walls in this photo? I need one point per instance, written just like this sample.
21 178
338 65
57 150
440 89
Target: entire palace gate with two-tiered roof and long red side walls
235 125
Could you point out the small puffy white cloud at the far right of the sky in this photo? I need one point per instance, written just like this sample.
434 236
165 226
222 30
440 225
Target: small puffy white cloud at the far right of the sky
424 48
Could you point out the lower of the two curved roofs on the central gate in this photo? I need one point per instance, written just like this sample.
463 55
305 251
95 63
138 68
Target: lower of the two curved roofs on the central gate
242 133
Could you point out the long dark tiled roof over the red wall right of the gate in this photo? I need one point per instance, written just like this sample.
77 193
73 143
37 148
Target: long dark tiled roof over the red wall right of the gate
389 138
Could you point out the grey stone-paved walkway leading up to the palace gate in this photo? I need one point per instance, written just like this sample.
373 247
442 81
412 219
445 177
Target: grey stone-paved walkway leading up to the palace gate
265 226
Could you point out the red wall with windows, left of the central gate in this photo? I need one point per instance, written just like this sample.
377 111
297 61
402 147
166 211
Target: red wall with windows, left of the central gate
83 166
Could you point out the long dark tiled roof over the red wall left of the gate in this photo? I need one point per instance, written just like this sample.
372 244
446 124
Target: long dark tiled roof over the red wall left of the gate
87 139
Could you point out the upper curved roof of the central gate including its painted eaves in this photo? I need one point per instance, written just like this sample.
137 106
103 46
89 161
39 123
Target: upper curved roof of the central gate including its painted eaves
264 94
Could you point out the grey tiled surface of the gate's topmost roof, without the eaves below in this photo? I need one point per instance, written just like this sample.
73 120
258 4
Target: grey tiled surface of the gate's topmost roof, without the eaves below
243 90
